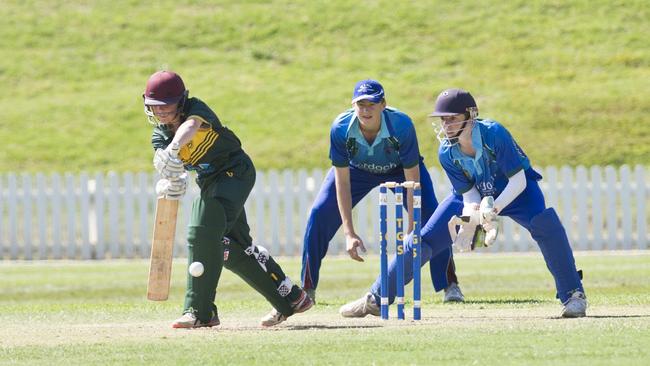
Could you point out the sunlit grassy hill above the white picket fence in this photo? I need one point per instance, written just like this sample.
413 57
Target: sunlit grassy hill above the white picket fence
569 79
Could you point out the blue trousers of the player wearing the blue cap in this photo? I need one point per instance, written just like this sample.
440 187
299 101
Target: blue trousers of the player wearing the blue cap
325 219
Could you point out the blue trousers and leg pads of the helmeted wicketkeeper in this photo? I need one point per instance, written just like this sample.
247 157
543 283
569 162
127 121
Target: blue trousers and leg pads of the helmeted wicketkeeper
528 210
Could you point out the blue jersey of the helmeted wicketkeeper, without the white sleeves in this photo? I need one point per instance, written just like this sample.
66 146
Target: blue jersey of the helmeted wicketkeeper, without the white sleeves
498 157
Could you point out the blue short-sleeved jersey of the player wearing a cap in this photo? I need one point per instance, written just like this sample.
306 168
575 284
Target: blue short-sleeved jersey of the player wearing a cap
395 147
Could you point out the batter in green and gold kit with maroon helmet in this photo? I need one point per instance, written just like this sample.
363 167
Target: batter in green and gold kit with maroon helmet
218 233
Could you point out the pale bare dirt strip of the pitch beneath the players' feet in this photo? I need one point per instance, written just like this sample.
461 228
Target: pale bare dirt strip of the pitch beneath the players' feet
44 334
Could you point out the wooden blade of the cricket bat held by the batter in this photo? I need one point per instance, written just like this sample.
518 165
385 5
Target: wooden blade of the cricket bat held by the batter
162 246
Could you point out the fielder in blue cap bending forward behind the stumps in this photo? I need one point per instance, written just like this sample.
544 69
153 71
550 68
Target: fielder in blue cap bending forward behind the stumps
369 144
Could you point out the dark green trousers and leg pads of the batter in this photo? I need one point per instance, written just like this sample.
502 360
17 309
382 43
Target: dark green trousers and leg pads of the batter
218 235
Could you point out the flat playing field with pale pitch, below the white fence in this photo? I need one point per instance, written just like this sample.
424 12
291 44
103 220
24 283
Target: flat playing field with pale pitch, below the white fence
83 313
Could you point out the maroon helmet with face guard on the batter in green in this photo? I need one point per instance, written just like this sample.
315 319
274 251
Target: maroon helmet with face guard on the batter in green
164 88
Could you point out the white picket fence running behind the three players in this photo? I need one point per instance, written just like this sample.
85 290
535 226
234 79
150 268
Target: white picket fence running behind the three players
104 216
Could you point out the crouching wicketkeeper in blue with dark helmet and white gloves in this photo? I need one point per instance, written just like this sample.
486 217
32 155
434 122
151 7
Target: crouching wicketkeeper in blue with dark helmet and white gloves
481 160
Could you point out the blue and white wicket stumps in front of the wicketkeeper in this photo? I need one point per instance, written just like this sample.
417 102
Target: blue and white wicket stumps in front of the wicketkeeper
400 239
